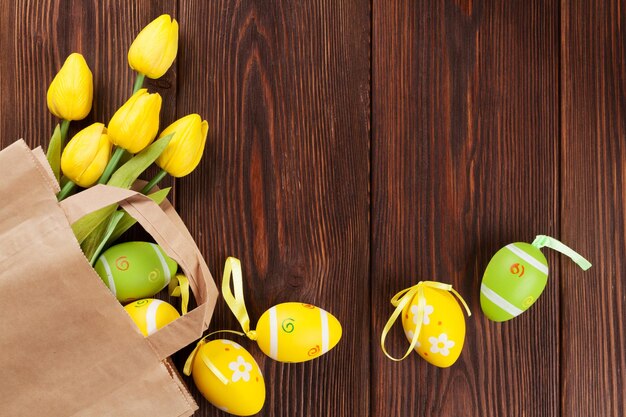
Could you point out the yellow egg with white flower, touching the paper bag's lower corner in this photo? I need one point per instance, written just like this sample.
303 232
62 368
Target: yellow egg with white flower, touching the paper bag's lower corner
229 377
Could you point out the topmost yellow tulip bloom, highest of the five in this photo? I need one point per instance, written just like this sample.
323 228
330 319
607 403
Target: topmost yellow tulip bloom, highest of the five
155 47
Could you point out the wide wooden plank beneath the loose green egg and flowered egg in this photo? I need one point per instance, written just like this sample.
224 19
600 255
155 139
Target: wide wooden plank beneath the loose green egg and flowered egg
464 161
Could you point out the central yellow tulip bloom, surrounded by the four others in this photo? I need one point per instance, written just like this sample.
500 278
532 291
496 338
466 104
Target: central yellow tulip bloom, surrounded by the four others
135 124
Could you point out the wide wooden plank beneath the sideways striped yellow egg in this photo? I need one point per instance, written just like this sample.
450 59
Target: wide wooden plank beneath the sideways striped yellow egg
283 183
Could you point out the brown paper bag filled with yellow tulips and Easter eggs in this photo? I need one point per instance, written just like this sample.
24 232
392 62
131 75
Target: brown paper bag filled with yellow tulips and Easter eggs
66 337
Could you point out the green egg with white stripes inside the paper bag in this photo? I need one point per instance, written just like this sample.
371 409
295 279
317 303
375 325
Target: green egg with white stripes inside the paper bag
135 270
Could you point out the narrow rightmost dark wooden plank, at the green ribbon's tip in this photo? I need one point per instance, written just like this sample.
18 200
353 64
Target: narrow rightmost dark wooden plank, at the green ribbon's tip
593 365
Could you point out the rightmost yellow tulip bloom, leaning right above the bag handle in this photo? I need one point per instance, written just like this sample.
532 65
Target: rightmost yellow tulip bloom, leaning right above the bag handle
182 155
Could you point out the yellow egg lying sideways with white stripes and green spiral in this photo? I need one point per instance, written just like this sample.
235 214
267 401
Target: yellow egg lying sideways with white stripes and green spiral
297 332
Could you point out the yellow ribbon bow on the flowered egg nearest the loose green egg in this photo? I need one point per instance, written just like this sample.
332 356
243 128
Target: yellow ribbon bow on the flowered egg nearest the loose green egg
404 298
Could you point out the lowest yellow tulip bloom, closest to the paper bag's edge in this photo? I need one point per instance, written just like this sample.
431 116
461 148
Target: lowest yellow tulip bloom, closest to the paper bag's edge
86 155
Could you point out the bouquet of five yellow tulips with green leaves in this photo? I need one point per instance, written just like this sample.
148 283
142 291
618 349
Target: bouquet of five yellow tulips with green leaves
94 154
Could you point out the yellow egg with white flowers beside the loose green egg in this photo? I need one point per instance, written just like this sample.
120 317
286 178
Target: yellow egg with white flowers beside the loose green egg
442 334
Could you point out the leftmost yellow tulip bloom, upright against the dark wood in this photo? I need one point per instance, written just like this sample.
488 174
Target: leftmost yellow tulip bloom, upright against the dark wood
71 92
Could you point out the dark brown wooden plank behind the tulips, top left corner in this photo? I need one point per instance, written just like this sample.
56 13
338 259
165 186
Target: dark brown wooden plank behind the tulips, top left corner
44 33
